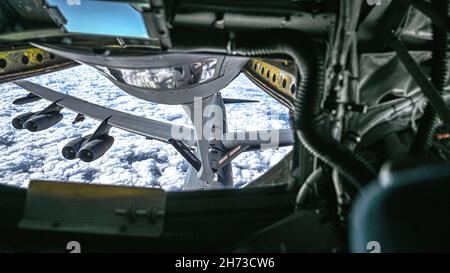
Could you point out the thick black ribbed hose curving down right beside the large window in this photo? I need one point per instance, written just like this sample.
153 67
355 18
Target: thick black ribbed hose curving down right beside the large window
307 106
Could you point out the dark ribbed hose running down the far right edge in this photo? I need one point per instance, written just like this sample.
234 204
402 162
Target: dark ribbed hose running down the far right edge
429 122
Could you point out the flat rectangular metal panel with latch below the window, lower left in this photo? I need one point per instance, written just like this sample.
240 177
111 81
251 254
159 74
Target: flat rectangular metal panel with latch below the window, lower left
98 209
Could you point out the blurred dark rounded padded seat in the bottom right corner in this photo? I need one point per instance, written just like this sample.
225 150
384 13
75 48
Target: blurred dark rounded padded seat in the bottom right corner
404 211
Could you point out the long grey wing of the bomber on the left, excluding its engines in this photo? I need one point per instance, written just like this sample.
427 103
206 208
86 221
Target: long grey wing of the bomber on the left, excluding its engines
139 125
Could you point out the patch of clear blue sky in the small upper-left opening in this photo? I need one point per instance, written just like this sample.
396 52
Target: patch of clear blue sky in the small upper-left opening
101 17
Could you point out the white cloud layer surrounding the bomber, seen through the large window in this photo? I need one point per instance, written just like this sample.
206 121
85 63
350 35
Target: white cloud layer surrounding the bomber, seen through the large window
132 160
